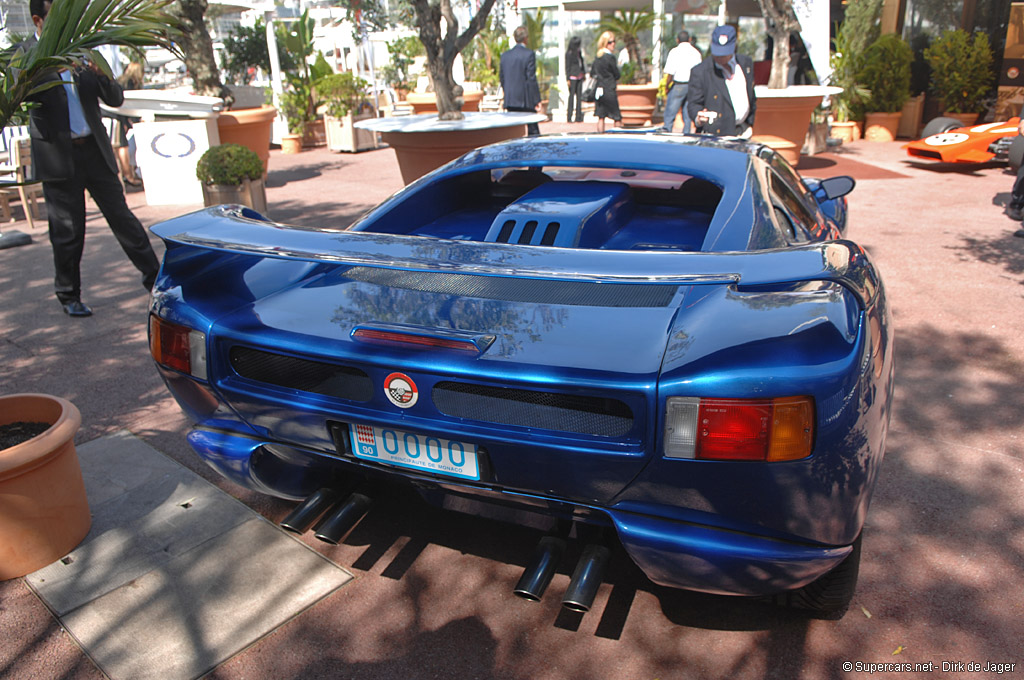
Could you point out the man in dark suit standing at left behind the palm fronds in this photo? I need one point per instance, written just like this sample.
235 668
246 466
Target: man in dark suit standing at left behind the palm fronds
71 153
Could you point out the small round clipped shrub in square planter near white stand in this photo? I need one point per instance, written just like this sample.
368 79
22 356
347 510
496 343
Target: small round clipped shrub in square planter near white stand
232 174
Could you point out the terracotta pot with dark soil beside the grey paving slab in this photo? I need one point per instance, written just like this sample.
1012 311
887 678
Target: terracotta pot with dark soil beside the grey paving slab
44 509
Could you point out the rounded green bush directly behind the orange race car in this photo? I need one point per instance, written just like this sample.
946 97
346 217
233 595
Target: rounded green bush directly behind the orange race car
962 71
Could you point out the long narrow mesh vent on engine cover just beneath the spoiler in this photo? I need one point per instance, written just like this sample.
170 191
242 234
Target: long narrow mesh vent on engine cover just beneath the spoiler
577 293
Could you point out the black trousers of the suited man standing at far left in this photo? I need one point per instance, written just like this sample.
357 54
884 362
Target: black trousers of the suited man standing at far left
66 210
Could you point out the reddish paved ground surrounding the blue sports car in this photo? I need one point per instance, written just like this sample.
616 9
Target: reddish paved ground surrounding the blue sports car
943 578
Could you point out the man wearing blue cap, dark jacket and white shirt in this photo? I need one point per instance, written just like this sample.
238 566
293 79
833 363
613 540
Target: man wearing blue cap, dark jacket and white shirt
721 96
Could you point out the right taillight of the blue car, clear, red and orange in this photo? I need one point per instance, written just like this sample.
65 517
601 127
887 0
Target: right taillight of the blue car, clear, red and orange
779 430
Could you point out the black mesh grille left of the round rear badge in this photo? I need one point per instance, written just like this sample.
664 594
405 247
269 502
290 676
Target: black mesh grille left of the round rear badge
338 381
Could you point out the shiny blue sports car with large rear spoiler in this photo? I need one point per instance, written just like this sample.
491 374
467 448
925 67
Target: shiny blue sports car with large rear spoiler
655 344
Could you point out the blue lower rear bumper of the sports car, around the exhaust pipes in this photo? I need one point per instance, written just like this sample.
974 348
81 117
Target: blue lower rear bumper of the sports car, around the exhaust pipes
671 554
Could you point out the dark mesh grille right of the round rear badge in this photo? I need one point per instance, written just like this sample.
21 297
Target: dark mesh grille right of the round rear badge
582 415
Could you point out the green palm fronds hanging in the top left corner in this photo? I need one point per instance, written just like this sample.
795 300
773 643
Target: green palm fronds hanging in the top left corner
73 31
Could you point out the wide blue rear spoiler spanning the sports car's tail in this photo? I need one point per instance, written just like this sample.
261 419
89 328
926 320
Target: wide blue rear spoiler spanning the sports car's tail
239 230
